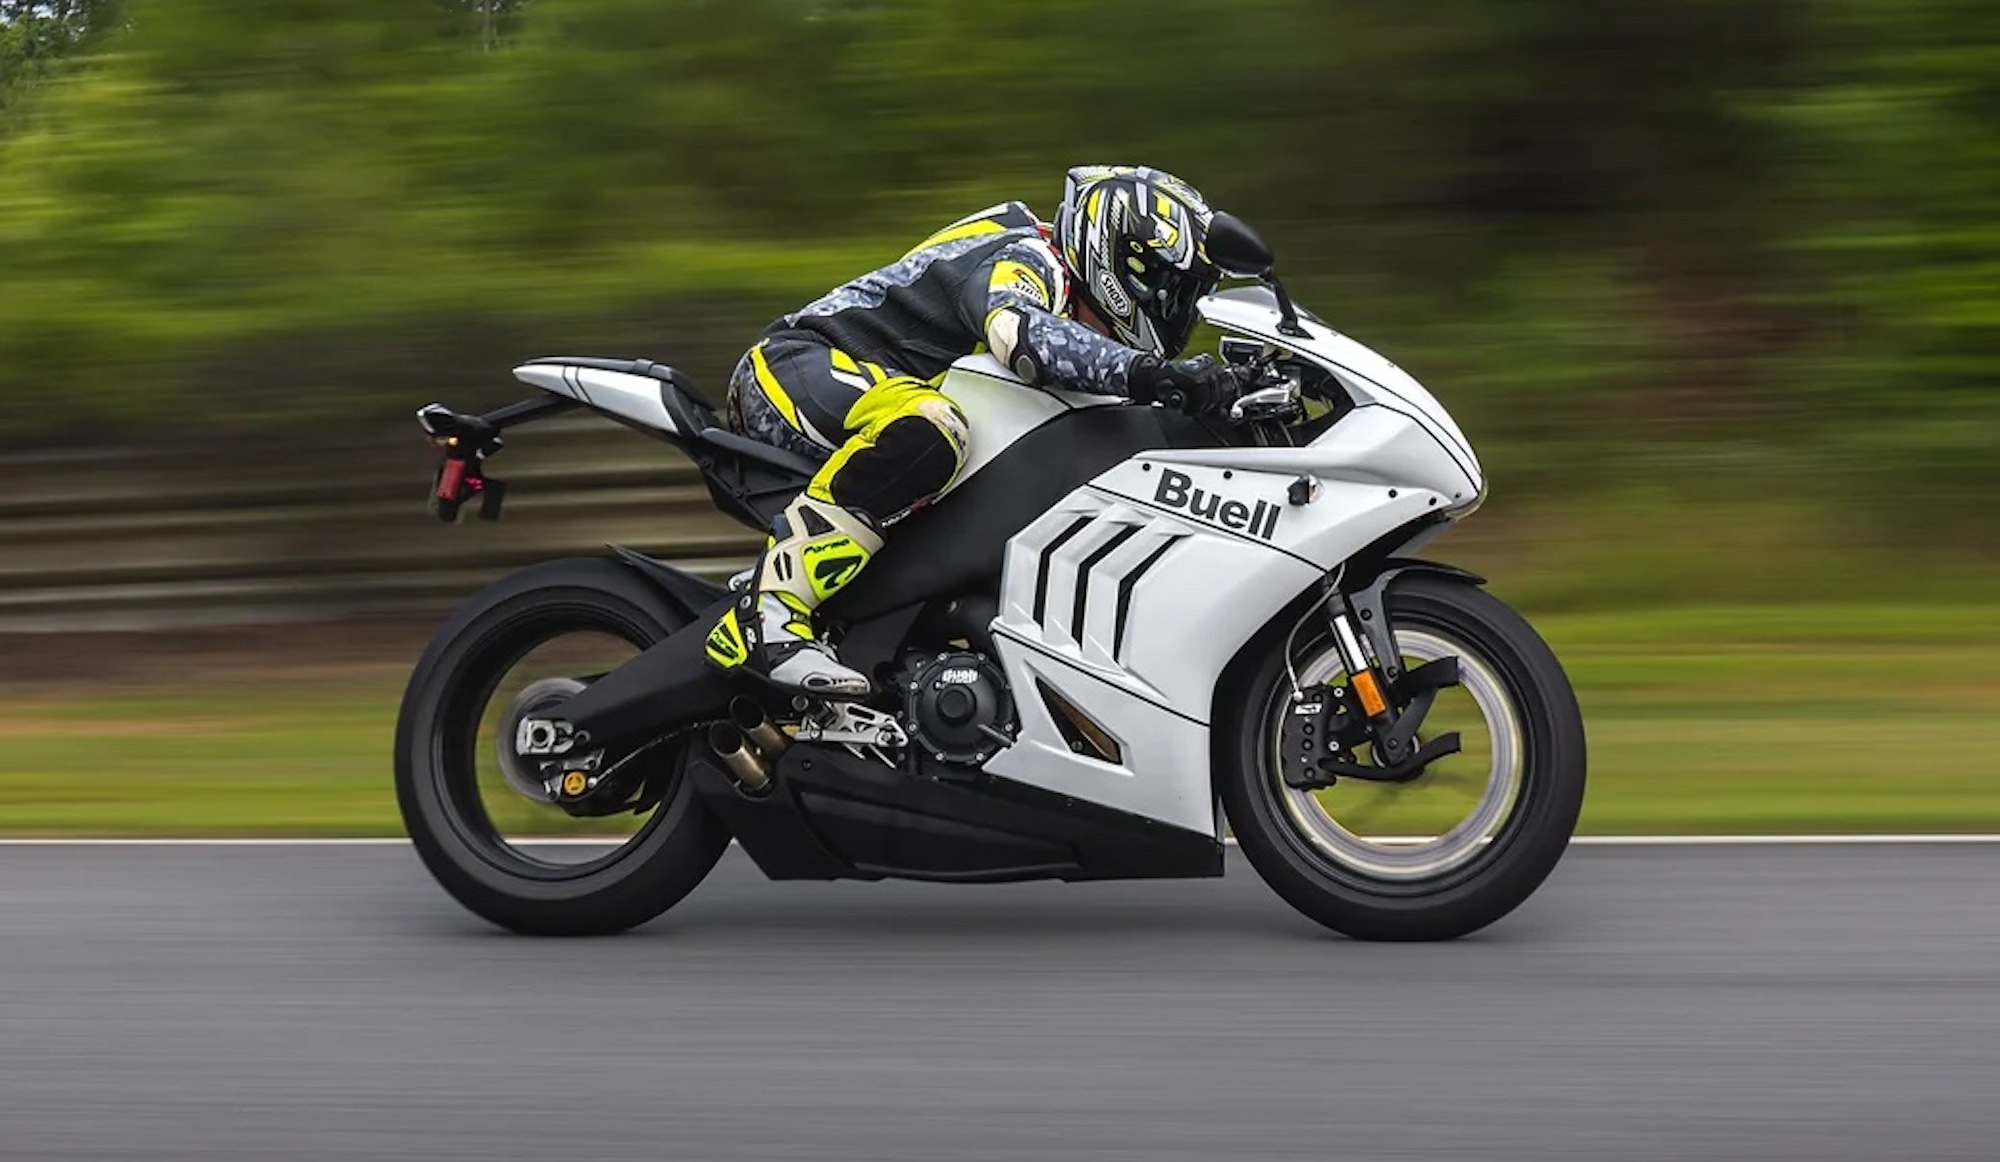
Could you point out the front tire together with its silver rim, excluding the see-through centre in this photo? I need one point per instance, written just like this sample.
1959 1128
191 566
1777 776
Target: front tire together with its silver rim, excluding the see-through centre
1465 879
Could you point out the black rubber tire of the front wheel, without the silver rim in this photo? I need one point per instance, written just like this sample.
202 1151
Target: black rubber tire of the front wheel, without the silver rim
1487 883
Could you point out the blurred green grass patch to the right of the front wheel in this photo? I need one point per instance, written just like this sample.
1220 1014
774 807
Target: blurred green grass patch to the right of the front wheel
1839 719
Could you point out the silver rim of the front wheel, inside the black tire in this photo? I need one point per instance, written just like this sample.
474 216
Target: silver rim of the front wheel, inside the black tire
1383 855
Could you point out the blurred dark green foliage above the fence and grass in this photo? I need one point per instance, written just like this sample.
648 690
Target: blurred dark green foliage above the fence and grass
1715 241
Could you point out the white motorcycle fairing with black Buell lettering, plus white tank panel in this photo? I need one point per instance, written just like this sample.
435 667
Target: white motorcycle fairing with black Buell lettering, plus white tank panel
1101 593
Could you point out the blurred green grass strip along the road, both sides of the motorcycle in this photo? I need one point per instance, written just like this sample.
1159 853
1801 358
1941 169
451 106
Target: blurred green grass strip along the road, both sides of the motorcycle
1743 719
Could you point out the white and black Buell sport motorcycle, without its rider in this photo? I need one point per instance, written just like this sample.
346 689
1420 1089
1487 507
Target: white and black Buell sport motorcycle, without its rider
1119 637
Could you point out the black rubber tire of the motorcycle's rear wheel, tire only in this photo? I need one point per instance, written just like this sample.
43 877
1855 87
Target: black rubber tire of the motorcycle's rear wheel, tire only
653 871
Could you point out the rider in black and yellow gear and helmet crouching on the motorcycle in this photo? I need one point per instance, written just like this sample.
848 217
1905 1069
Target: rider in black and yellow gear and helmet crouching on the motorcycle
1099 303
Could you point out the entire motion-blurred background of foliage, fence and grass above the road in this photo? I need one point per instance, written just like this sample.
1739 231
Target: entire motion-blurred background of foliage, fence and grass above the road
1713 285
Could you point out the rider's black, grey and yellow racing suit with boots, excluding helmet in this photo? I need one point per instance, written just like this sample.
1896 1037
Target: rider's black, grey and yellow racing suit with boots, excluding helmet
853 381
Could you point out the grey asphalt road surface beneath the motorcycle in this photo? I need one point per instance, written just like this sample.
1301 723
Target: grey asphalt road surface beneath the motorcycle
331 1003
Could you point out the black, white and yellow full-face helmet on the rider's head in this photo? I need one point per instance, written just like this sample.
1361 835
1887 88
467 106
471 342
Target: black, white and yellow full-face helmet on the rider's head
1135 245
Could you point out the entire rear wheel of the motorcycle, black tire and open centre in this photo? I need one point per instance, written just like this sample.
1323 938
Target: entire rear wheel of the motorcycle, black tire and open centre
469 803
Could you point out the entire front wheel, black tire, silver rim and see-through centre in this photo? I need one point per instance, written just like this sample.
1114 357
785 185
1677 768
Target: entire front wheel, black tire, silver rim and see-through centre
1465 843
